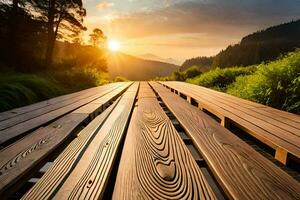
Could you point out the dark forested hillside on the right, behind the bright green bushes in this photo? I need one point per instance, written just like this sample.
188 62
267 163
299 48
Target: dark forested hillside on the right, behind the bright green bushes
262 46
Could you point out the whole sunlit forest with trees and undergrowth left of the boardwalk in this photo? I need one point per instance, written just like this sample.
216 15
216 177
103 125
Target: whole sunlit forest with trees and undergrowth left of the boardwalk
42 53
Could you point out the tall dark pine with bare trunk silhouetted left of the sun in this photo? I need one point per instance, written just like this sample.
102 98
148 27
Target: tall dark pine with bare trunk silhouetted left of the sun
64 19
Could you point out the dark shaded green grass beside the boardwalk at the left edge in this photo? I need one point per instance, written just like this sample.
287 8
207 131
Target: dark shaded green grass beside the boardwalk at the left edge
21 89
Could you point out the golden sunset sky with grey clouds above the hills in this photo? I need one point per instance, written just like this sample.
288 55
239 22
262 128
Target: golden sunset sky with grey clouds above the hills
182 29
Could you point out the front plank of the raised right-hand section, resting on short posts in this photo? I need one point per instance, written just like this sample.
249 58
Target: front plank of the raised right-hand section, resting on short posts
264 131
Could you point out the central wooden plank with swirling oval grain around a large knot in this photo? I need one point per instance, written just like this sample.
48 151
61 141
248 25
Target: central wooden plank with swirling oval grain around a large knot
155 164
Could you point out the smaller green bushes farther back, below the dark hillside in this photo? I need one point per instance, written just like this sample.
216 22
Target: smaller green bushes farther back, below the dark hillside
220 78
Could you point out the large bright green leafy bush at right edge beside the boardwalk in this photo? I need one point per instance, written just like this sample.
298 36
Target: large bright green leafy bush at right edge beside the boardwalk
276 84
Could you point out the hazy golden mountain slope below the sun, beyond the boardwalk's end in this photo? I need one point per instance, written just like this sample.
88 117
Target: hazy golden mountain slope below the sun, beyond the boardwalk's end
133 68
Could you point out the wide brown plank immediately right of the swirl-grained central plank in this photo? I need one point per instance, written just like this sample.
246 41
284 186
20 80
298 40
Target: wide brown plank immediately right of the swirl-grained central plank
241 171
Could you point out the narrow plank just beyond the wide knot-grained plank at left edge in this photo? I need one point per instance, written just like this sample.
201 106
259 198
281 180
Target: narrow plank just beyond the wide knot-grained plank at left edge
35 122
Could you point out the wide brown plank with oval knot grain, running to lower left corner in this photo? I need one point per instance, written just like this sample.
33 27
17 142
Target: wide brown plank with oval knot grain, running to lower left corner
23 155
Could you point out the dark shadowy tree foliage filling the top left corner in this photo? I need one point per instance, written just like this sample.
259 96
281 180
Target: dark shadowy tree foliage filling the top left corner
21 35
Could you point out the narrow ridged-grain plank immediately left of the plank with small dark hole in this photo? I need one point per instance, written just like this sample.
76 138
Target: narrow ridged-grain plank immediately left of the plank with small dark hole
66 161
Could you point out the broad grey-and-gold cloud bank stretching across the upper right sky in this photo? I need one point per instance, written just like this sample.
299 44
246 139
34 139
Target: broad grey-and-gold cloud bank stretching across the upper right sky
209 17
